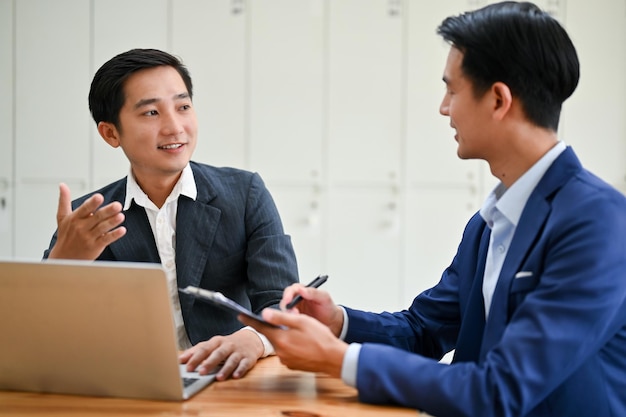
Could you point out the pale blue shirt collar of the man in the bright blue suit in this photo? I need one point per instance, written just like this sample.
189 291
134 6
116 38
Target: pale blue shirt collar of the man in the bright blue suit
510 202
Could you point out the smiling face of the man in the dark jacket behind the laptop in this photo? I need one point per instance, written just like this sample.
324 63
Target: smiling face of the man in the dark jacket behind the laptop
158 125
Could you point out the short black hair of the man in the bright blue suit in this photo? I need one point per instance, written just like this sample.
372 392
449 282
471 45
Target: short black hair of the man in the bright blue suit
522 46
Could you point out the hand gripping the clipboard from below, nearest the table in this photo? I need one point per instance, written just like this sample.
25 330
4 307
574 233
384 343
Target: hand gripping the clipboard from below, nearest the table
303 343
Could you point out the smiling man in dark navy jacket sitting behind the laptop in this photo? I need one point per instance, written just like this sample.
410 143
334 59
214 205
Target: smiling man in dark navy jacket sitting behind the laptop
214 228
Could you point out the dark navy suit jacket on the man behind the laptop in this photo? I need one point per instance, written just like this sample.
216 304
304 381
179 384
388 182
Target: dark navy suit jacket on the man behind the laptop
230 239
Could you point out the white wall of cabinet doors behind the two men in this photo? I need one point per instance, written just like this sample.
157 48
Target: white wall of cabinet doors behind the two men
334 103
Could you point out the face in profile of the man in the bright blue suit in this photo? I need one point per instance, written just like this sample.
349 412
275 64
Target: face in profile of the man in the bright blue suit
469 116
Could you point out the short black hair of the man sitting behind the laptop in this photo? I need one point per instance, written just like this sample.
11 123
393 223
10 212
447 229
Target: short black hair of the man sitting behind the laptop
106 95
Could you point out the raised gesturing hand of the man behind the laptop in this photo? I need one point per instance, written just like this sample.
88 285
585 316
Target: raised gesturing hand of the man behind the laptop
86 231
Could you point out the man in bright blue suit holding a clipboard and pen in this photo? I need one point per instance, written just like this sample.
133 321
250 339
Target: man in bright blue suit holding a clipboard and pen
534 302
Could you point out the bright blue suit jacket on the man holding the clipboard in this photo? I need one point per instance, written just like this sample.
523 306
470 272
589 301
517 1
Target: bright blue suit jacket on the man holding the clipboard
555 340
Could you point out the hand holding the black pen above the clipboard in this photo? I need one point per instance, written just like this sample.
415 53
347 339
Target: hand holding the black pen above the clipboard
315 303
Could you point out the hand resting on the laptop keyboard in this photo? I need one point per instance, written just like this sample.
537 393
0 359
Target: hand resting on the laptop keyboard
237 352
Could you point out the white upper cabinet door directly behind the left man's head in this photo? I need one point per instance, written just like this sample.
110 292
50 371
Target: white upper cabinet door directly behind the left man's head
118 26
